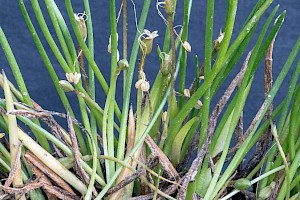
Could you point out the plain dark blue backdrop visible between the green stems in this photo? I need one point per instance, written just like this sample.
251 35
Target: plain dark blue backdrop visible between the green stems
39 83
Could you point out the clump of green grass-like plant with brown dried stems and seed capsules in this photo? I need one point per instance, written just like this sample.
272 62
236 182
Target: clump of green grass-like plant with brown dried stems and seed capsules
173 143
